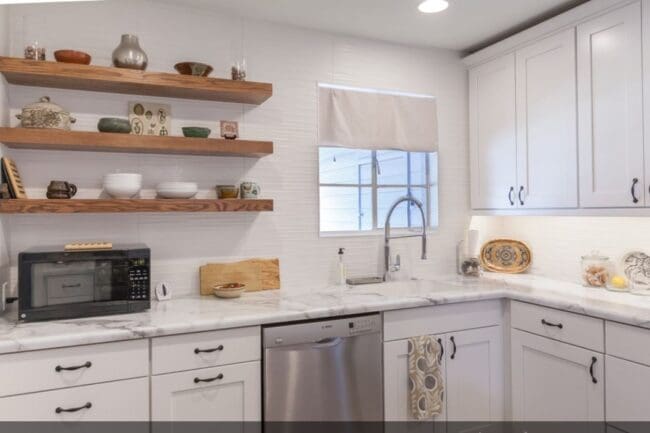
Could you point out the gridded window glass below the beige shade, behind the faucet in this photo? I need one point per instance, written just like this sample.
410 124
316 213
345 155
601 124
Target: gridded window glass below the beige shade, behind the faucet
358 187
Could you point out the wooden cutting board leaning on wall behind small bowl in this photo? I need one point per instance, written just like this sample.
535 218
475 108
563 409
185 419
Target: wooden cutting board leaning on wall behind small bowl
257 274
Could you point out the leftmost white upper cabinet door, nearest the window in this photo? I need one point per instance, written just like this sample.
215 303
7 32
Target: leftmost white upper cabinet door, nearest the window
493 139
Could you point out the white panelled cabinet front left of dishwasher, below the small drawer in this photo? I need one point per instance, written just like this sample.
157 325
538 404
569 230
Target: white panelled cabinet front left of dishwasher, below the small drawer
230 393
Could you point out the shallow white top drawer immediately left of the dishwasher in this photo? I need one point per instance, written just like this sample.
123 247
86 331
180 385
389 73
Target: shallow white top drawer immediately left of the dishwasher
205 349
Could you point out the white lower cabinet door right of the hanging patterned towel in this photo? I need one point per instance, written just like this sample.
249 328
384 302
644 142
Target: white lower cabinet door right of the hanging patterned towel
474 386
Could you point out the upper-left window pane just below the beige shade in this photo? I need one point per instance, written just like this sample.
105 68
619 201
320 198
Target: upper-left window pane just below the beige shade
345 166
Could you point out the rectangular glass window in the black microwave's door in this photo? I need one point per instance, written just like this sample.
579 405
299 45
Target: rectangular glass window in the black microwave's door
62 283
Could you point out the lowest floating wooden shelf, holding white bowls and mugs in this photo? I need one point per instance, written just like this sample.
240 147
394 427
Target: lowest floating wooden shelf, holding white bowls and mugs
135 205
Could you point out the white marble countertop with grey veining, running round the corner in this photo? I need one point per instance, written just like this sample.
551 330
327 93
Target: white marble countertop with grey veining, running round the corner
195 314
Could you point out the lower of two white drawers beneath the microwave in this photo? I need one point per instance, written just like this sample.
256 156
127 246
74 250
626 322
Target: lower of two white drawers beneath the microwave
126 400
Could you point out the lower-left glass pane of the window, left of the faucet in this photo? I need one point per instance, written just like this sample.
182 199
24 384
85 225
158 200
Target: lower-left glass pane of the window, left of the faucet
345 209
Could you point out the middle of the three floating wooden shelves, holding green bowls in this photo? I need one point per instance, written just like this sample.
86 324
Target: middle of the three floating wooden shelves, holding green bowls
53 139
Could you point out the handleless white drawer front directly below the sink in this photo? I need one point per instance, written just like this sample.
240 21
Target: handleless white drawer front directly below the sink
402 324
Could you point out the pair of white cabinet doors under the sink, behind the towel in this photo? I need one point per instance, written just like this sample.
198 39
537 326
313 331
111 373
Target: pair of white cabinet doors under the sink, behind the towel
472 366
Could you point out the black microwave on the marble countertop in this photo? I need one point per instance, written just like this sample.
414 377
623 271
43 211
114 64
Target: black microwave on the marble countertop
56 284
